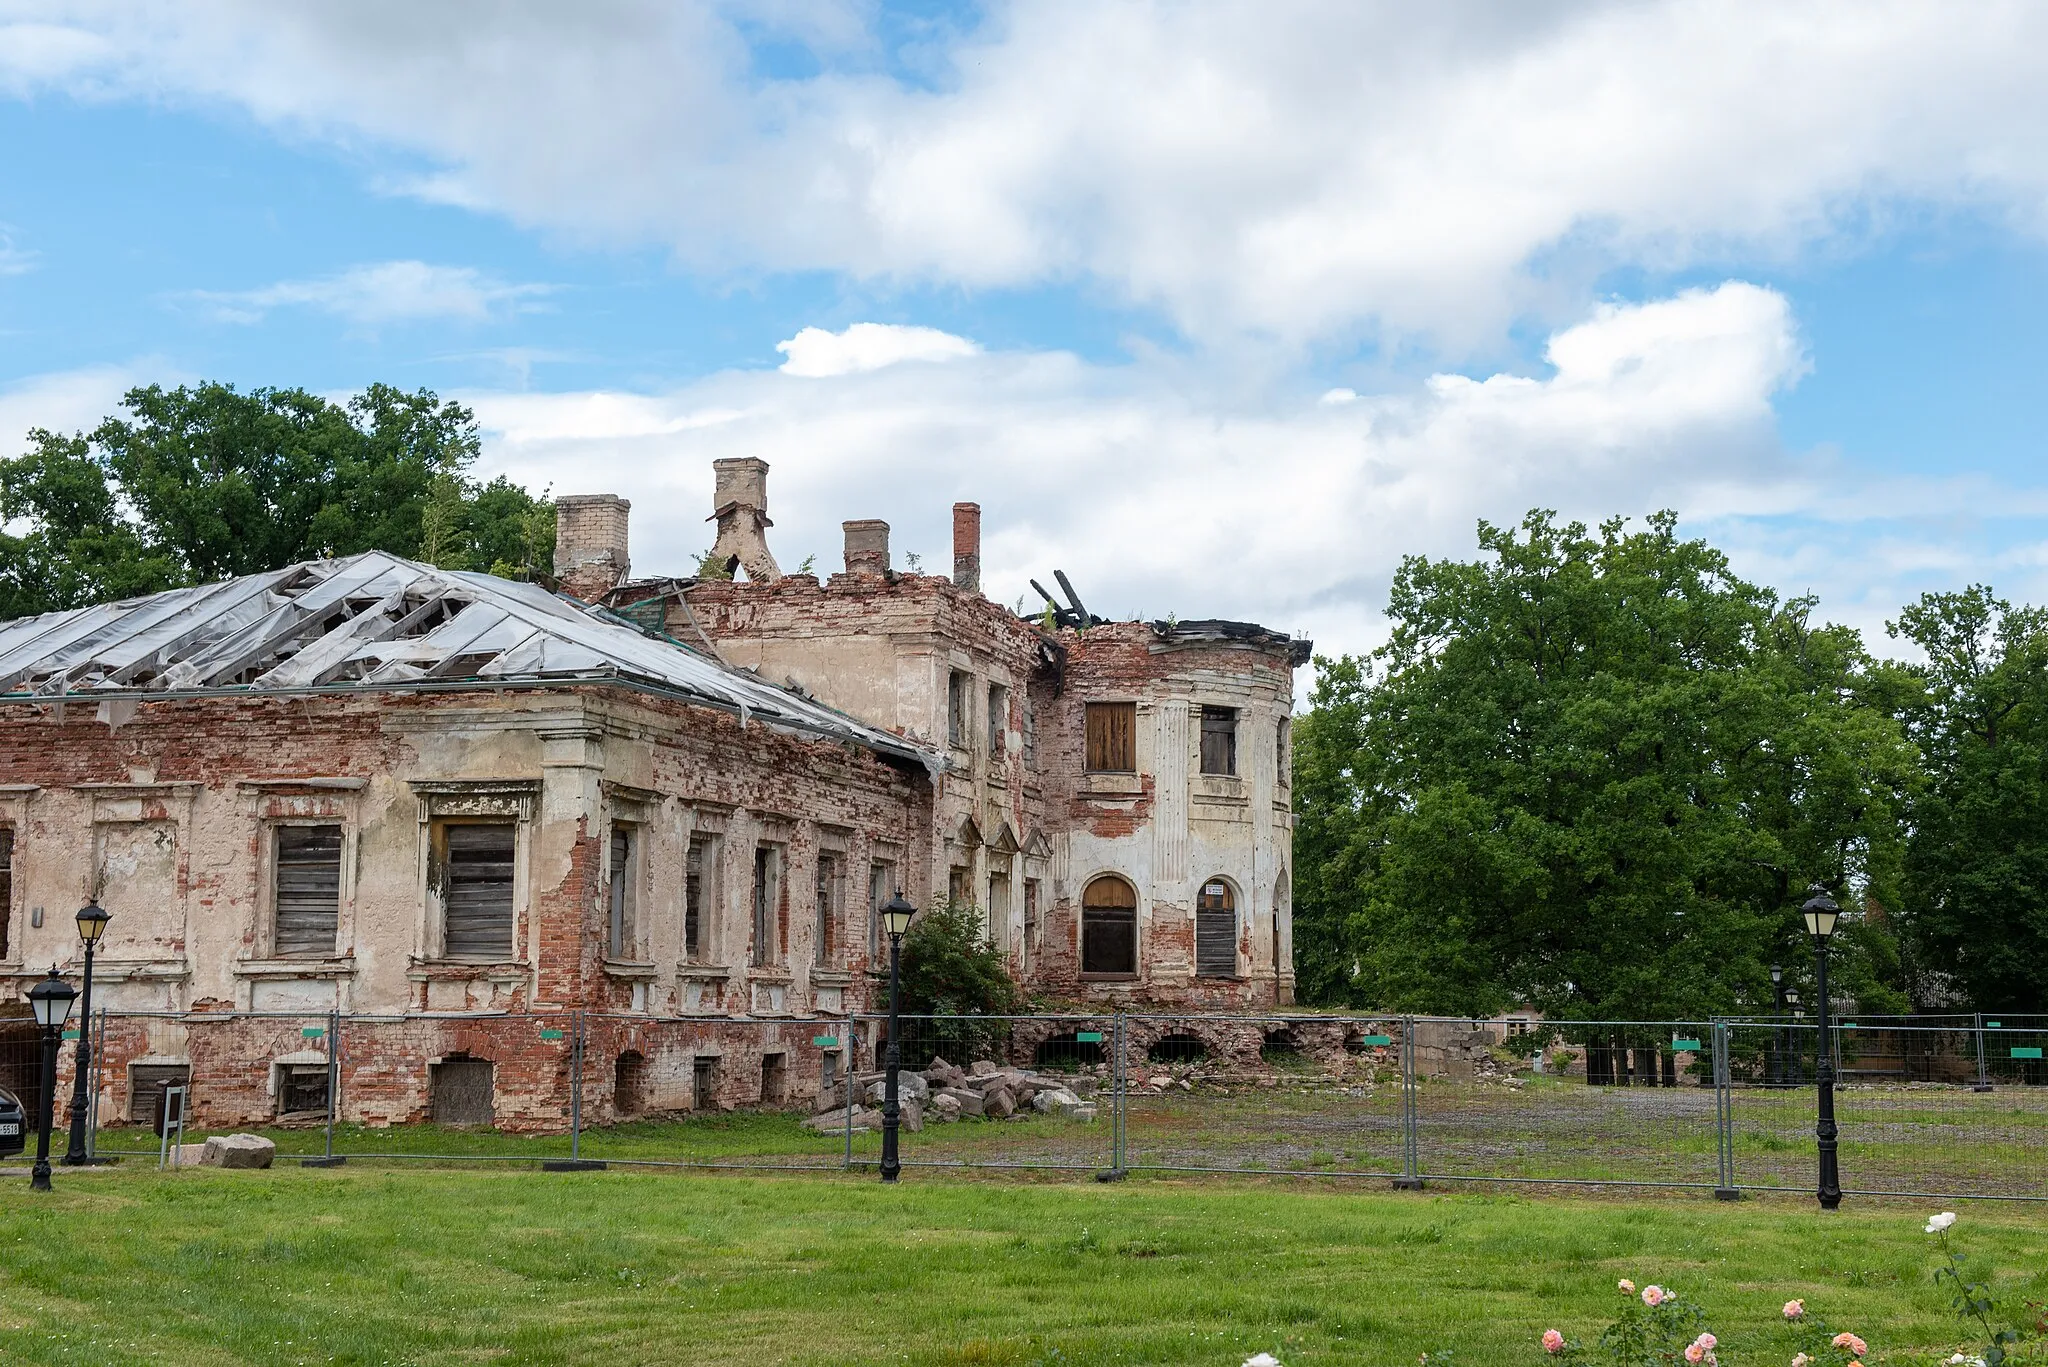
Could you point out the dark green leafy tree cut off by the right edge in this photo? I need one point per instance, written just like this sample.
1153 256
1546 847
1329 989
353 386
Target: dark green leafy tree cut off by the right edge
1977 858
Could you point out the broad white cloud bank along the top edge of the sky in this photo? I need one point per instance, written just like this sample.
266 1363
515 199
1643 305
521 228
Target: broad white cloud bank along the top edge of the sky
1310 173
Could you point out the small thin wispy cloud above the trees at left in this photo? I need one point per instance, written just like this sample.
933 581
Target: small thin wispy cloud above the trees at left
392 292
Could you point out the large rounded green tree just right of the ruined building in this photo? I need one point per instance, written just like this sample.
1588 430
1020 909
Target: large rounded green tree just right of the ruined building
1594 774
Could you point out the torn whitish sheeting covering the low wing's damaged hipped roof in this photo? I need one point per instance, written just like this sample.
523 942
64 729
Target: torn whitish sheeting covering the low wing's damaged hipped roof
378 622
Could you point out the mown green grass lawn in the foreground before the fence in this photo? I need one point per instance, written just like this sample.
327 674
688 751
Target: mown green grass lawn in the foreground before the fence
382 1266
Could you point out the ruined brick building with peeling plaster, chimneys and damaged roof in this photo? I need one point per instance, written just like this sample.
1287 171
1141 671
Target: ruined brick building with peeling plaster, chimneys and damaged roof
462 804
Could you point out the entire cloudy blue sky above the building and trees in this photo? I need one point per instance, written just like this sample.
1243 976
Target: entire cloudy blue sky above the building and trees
1246 308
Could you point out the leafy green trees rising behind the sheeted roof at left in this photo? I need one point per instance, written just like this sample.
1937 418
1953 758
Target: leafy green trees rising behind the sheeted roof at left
204 483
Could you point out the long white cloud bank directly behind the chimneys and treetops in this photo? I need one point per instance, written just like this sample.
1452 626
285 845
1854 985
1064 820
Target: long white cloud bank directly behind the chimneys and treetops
1160 497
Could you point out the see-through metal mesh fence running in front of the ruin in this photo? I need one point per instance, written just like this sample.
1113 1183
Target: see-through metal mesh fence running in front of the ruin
1949 1108
